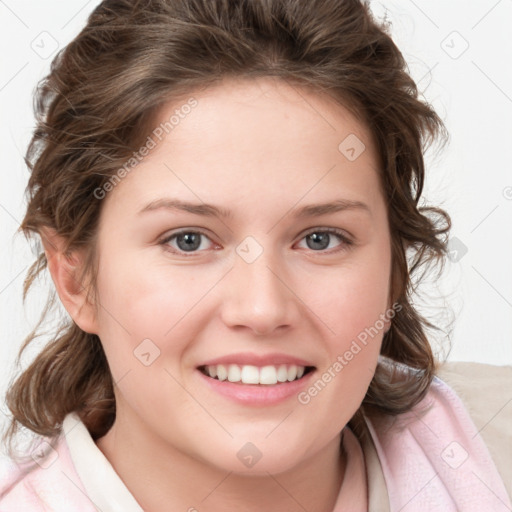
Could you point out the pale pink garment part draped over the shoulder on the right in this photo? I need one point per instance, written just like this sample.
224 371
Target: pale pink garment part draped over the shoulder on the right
438 462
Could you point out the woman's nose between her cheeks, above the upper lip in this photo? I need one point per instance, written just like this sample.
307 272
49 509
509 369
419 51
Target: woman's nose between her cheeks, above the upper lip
258 296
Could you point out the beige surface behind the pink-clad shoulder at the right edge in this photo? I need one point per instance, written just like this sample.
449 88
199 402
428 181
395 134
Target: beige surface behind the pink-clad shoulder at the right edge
486 392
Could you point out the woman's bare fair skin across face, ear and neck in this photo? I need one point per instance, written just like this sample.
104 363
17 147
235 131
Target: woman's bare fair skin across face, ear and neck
261 149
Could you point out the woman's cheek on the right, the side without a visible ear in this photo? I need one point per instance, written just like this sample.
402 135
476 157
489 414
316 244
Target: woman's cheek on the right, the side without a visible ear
354 306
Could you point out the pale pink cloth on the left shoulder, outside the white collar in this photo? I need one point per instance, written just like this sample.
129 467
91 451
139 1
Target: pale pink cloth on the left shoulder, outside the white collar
44 480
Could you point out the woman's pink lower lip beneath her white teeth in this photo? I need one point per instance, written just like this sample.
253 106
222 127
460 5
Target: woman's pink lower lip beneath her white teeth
257 394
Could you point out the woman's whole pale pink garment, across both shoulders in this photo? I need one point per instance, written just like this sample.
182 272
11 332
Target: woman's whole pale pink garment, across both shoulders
436 463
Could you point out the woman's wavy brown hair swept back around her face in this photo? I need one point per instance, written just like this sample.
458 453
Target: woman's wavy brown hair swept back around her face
95 108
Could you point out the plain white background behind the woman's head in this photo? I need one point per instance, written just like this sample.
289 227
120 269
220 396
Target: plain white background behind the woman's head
471 88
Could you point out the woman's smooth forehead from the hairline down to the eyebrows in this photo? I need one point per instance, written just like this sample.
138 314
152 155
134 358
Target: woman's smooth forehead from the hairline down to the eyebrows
255 138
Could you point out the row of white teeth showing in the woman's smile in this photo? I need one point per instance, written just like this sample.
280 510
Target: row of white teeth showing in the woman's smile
248 374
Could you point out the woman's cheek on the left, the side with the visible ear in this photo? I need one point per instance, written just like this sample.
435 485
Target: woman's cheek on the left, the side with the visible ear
138 304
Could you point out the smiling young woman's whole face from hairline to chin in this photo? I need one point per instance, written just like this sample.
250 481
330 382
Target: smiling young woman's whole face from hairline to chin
252 242
